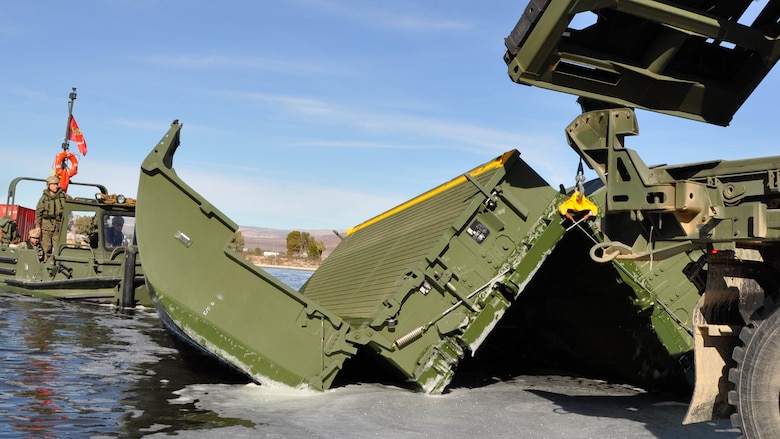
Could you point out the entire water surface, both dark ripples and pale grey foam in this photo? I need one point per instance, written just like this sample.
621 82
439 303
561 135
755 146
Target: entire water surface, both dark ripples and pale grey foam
70 370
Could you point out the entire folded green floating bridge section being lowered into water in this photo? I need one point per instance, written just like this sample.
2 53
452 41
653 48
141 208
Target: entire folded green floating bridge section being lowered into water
418 288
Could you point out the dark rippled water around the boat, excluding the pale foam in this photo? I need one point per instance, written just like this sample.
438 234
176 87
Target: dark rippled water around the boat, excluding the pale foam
75 370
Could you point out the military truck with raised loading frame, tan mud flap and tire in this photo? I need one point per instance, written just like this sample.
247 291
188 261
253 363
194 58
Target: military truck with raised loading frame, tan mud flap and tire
699 60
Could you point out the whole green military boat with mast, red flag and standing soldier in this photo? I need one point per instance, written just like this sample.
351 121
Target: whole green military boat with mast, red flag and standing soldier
95 257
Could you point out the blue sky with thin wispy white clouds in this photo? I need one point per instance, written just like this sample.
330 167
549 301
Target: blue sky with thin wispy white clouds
303 114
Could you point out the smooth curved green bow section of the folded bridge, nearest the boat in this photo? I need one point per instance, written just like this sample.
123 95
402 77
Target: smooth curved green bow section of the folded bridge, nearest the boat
220 301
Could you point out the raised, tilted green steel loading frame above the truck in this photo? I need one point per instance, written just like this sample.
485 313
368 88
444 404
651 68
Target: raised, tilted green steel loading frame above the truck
688 59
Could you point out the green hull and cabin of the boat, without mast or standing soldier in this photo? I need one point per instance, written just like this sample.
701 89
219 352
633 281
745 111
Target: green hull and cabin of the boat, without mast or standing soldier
85 265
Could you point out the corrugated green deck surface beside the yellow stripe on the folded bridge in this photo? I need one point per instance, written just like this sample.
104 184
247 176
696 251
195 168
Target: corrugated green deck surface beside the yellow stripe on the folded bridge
366 267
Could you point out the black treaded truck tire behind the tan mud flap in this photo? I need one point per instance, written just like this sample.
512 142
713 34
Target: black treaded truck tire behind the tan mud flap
756 378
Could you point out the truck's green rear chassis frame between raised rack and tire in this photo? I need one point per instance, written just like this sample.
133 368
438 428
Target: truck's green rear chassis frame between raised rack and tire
659 211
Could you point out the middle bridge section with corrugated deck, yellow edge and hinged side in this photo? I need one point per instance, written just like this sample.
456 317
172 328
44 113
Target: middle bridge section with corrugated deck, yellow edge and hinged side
426 282
